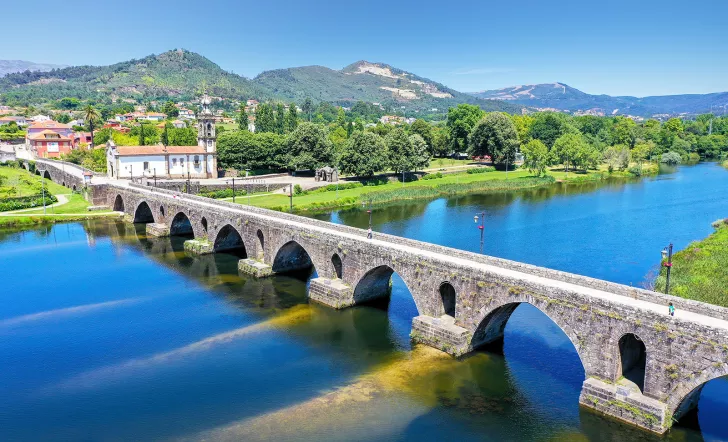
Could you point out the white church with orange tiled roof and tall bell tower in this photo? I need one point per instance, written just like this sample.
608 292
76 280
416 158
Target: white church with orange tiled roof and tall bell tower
125 162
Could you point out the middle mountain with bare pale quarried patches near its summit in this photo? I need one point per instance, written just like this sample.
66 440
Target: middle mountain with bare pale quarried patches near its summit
370 82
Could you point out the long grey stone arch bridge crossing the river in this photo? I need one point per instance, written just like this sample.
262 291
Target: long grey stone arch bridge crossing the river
641 365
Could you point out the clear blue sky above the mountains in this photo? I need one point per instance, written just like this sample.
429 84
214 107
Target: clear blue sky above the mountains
638 47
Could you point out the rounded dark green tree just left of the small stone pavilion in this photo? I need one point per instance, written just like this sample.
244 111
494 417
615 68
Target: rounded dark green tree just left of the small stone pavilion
309 147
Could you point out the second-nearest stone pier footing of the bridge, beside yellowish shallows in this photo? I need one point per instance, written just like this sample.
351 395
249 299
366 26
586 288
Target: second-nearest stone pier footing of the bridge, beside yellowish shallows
441 333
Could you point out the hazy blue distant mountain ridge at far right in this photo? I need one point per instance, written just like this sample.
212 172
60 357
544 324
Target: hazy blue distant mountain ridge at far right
564 97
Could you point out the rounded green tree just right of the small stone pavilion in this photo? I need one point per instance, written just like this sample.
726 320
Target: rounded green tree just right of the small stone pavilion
363 155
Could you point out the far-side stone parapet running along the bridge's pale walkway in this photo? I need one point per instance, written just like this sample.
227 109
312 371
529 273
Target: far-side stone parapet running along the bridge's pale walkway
572 278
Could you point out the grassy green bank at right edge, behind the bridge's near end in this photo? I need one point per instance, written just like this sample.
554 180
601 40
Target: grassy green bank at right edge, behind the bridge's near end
699 271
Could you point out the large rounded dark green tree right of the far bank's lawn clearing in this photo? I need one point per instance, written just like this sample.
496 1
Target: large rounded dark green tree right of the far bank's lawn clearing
495 135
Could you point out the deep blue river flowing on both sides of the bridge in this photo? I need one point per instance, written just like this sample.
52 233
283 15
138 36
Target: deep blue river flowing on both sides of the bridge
108 335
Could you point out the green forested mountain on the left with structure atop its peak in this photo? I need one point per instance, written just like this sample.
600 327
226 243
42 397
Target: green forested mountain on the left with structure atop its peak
177 74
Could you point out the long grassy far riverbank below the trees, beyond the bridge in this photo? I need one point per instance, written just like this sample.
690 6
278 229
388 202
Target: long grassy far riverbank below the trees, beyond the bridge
431 186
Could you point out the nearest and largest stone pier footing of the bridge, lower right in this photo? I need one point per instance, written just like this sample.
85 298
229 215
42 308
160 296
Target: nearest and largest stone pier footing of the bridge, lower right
625 404
